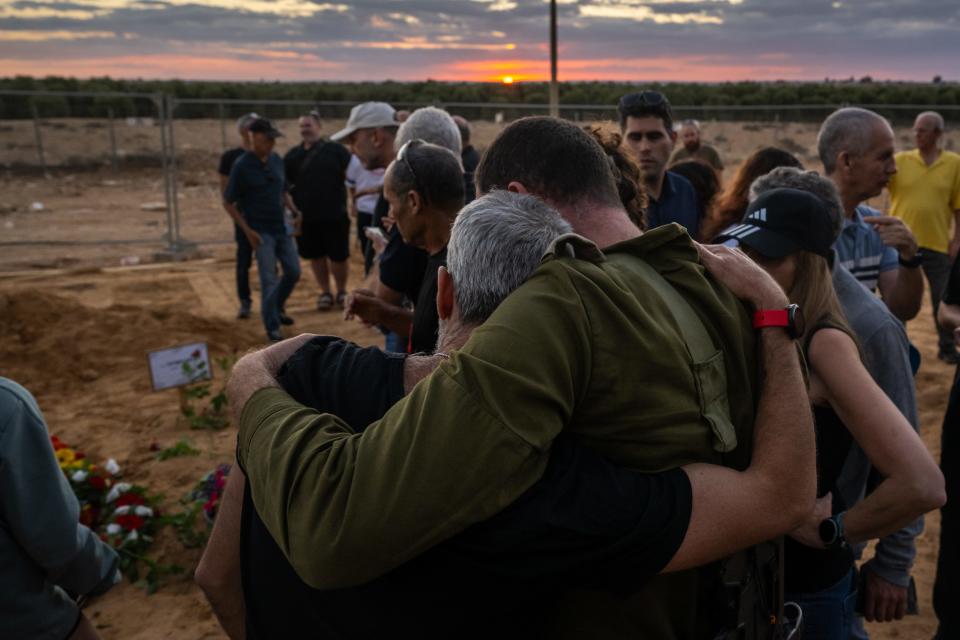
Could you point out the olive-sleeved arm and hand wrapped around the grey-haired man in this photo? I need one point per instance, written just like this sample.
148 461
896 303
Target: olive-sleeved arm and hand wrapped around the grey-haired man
347 507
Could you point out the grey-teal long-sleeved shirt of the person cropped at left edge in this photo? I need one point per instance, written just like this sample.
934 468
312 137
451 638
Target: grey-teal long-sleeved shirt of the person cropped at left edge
44 550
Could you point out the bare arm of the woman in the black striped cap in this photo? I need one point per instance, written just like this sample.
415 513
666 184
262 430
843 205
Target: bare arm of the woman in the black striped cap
913 484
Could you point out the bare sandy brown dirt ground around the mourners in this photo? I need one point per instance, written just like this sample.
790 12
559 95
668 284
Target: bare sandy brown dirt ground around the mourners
75 325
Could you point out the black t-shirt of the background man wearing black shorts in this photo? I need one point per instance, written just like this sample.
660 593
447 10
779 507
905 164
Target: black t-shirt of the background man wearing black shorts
317 180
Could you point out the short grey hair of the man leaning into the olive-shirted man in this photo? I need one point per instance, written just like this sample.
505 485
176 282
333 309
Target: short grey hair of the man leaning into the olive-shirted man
496 243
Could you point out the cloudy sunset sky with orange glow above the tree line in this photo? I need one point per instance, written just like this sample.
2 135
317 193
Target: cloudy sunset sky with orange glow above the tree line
636 40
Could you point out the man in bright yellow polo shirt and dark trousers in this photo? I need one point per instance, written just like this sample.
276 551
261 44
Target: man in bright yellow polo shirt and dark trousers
925 194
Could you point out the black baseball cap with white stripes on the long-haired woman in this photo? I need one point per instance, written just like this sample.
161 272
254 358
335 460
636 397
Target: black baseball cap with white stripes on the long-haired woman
783 221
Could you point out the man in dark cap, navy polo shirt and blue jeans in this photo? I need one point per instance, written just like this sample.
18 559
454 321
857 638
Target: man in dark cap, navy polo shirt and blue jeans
255 197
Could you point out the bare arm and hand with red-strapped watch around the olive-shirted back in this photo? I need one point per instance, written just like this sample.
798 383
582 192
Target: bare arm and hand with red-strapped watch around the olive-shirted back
733 510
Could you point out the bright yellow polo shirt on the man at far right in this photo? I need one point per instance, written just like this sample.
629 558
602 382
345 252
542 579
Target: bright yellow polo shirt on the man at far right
925 197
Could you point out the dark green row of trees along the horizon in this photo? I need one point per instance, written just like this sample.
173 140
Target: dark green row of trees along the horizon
405 94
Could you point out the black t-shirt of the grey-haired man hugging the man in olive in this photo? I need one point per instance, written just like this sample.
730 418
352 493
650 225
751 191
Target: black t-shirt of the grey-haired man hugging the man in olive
585 523
